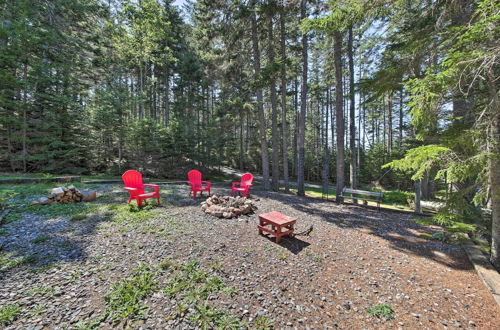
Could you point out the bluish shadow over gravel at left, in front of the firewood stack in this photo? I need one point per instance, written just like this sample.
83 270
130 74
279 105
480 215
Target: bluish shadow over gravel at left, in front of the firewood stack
46 236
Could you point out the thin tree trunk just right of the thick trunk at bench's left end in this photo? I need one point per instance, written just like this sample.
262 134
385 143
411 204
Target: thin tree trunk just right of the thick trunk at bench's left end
352 109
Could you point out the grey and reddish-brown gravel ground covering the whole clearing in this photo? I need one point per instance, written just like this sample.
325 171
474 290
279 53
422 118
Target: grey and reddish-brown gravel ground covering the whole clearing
354 259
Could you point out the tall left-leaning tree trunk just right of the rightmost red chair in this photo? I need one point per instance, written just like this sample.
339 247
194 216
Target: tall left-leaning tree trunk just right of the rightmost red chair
260 105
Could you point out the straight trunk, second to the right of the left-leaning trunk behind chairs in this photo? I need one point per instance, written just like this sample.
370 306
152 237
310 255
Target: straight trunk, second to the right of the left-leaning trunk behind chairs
283 101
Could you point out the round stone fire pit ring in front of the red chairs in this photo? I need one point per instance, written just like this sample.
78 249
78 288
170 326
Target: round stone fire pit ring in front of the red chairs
227 206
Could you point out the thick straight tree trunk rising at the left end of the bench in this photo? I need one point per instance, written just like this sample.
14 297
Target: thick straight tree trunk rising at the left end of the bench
339 109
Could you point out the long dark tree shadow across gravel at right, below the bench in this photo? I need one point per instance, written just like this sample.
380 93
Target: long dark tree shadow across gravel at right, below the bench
395 228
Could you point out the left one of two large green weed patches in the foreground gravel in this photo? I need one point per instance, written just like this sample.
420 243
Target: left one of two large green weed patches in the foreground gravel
124 298
